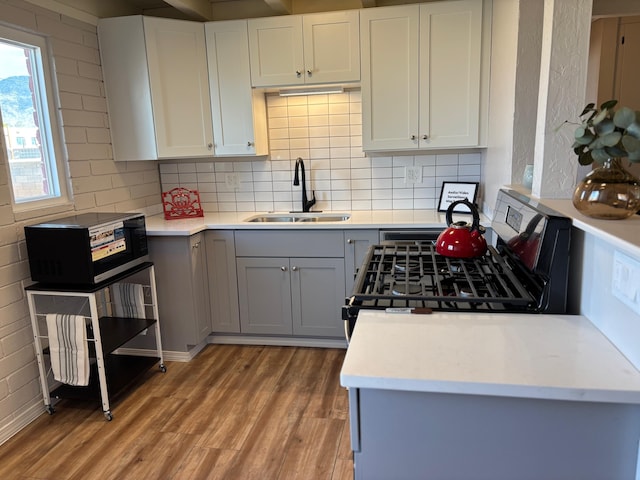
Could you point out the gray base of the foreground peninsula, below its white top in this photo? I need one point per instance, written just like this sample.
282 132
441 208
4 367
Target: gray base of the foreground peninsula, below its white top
410 435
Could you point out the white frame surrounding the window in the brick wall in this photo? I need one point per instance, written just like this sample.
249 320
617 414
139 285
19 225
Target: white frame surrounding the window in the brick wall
50 130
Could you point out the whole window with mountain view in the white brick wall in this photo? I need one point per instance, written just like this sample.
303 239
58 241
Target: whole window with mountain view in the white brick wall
27 111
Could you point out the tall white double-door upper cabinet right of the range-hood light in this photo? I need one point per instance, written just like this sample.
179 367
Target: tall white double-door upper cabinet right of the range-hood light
421 75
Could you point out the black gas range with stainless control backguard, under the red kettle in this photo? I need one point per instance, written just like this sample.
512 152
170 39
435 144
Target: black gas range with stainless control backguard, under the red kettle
525 271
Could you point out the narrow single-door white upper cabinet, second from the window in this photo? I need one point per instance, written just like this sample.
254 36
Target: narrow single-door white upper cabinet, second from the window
239 113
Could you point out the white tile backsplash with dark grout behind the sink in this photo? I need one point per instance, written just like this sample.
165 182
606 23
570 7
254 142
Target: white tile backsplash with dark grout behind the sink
326 132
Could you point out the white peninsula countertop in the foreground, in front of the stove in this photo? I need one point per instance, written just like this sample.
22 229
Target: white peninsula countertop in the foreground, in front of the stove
559 357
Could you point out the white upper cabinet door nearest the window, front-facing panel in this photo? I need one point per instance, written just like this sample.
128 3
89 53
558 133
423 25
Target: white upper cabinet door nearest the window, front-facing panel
177 62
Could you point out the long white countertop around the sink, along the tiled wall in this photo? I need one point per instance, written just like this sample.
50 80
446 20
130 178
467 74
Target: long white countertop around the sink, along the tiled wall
158 226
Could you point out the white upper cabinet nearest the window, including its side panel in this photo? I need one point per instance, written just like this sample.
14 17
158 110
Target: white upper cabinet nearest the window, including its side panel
157 87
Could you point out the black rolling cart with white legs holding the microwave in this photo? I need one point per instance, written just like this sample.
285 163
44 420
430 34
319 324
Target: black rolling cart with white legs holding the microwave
111 373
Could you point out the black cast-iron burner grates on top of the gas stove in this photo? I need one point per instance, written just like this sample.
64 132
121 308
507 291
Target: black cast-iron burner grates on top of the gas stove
416 276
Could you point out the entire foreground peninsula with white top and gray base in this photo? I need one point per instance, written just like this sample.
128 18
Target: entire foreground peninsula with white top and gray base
489 397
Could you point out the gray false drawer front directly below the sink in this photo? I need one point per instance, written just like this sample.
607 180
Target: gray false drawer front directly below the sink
289 243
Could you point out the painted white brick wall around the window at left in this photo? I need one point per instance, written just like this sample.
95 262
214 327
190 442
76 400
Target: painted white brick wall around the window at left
98 183
